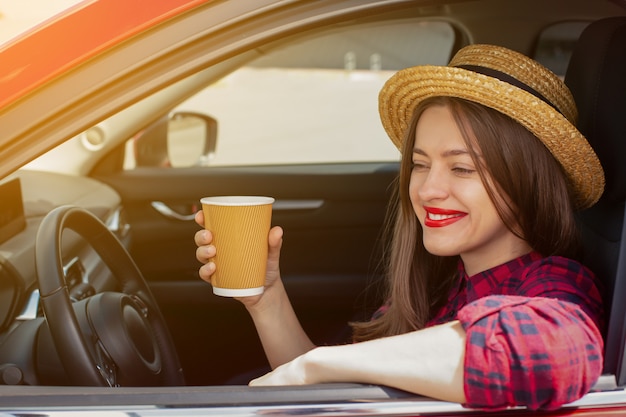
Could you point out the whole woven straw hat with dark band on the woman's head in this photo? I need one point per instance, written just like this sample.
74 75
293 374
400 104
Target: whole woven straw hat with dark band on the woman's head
513 84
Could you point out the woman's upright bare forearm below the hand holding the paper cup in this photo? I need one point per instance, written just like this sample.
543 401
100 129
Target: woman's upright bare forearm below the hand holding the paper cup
279 330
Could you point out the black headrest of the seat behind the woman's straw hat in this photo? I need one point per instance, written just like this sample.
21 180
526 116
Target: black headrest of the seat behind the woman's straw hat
597 78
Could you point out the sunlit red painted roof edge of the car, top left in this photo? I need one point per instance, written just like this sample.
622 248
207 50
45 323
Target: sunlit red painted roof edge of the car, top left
74 39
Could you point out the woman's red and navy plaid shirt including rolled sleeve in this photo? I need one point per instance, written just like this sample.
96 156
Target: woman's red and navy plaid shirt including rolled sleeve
532 327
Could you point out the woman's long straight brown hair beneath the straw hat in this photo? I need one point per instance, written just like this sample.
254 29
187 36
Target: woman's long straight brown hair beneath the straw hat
527 186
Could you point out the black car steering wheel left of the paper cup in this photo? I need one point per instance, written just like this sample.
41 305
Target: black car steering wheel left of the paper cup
110 338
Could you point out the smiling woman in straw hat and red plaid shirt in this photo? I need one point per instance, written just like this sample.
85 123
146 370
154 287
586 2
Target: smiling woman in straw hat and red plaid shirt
487 305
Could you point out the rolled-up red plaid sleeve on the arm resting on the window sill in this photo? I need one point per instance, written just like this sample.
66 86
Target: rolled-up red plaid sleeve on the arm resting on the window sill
536 352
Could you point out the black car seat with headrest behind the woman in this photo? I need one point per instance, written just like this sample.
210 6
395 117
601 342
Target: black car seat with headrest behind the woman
596 76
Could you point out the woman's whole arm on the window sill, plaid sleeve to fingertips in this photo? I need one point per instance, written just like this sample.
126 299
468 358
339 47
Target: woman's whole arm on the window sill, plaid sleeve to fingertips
504 351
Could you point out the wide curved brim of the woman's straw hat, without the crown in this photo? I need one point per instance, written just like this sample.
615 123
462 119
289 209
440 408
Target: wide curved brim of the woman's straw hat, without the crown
407 88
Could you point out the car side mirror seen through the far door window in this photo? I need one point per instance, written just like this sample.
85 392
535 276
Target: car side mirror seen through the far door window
181 140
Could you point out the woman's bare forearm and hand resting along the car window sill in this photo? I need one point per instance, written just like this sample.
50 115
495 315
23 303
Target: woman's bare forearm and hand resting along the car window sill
427 362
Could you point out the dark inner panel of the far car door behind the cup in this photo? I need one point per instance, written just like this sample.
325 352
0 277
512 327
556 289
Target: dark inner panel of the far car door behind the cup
330 255
